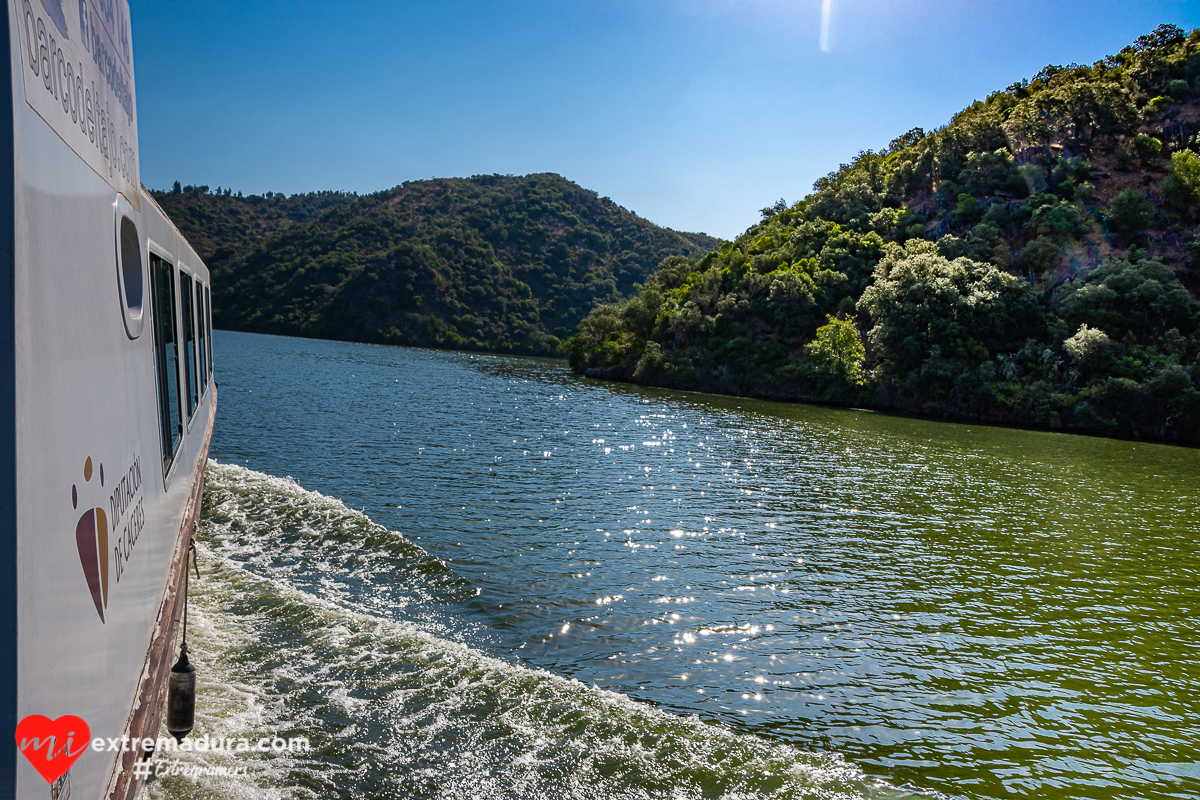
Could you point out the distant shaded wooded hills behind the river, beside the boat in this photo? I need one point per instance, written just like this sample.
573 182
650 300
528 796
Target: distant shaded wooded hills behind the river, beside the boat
497 263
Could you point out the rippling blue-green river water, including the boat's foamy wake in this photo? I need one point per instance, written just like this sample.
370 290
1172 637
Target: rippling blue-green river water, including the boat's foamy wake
982 612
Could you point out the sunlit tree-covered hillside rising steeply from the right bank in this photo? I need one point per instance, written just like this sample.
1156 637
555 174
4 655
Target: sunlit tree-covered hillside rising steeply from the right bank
1033 262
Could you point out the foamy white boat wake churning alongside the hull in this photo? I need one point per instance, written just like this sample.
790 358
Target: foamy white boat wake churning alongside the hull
308 623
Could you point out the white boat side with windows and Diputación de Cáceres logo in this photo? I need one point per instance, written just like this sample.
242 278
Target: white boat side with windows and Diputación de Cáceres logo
91 633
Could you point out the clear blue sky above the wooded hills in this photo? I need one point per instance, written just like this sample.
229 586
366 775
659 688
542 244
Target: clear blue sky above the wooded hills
693 113
